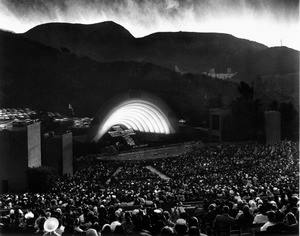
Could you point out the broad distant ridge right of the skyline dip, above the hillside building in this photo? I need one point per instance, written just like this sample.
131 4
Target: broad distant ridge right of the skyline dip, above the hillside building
197 52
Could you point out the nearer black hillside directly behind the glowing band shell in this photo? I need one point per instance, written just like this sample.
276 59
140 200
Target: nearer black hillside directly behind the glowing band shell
34 75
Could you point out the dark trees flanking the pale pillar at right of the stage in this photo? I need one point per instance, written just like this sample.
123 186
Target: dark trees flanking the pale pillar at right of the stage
247 119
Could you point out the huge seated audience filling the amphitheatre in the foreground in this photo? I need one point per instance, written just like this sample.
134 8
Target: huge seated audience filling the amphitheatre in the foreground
235 187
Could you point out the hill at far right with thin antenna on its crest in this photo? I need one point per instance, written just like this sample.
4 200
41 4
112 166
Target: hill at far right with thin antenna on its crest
277 75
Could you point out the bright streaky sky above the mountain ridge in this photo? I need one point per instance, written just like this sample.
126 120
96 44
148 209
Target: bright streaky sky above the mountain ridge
271 22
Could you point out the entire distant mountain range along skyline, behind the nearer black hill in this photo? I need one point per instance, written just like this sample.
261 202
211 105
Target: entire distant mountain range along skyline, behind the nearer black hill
188 52
